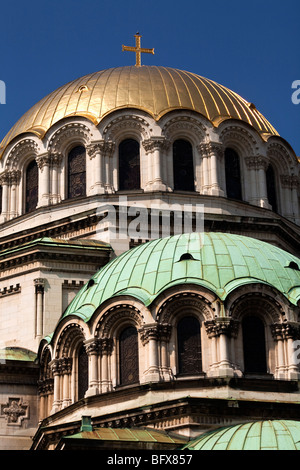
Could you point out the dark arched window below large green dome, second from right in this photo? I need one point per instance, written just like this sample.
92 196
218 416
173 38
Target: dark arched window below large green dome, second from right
189 346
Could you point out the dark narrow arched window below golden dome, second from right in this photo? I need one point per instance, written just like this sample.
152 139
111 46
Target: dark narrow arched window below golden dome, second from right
233 174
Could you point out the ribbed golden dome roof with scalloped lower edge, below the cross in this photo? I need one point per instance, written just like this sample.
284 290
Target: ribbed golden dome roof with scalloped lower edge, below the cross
156 90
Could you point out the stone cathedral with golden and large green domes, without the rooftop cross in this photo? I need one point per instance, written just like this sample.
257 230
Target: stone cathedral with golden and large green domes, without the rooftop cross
146 325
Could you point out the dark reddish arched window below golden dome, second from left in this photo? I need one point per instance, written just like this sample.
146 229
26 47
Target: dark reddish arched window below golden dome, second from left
77 172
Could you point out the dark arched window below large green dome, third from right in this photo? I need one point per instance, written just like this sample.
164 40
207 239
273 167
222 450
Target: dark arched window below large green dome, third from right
129 356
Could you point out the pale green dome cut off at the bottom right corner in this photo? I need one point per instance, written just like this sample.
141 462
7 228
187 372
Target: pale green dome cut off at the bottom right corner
259 435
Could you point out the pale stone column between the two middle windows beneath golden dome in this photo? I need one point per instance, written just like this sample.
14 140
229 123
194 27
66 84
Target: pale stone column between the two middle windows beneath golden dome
153 148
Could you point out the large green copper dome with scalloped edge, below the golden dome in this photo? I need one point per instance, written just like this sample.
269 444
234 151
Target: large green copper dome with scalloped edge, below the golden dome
220 262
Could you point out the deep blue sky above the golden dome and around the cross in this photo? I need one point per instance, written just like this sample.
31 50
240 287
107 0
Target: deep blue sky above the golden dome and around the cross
251 47
